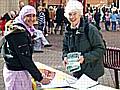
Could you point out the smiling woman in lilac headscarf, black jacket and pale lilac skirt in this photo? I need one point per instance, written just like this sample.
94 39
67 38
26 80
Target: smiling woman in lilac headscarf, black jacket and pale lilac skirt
18 51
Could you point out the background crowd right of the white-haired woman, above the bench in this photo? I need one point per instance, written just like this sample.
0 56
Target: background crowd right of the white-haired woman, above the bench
110 17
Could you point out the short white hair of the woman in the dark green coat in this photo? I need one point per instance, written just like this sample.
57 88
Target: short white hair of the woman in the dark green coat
72 6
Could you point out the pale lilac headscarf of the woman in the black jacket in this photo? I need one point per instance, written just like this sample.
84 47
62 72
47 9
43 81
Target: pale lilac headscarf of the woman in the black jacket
26 10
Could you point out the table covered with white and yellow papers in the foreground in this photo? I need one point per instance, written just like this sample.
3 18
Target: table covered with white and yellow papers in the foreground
68 82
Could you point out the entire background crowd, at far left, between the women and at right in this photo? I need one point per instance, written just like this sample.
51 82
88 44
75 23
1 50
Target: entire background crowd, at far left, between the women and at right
51 20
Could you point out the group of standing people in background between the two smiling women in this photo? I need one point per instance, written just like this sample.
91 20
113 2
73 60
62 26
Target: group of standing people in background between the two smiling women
51 19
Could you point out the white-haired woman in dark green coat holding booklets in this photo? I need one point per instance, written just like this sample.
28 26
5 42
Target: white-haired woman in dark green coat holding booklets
76 40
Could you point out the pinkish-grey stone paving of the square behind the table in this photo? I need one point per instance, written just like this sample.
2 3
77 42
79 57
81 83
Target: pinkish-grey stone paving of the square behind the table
52 56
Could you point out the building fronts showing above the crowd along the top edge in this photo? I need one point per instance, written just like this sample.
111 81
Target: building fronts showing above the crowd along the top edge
8 5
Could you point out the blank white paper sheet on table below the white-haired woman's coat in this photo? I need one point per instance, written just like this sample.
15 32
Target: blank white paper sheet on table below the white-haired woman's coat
84 82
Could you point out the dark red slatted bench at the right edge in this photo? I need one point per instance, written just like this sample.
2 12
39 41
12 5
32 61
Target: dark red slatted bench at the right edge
112 61
